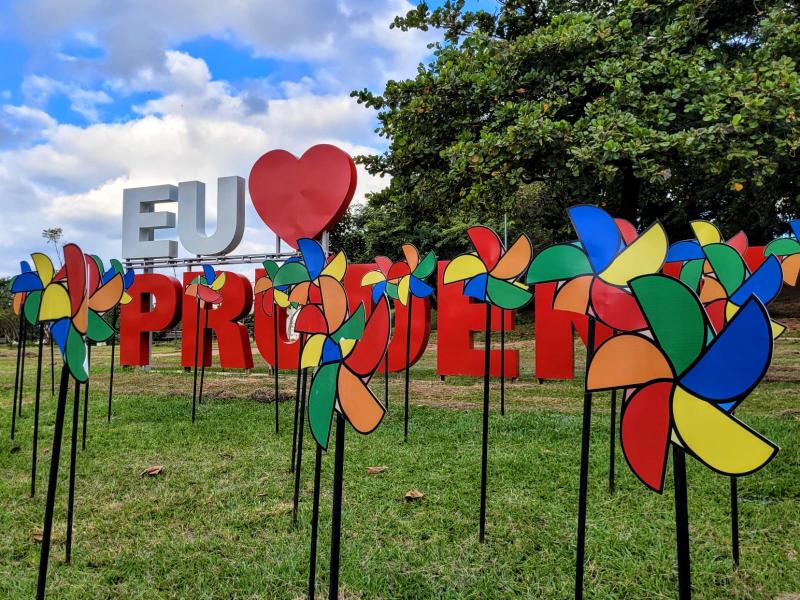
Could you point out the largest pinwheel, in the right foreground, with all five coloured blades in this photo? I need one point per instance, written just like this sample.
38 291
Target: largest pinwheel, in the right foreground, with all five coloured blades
684 383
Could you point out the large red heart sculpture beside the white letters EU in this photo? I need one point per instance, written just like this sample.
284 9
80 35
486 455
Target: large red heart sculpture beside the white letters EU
301 198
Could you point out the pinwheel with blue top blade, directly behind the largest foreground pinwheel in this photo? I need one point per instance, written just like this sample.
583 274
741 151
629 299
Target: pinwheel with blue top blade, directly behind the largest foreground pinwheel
594 272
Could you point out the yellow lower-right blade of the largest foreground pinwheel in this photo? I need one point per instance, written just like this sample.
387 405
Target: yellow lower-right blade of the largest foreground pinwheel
719 440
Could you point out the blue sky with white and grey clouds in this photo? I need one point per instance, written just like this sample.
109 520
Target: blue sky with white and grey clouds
97 96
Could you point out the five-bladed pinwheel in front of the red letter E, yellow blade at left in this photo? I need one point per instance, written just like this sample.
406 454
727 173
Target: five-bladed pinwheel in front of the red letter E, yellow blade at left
491 274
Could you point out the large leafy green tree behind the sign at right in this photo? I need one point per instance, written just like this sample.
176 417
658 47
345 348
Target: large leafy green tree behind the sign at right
653 109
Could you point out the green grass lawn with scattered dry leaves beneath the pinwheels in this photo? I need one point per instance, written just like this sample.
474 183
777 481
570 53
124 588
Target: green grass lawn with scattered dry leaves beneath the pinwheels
217 522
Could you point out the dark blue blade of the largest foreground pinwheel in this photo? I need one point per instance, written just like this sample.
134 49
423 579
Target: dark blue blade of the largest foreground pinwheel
737 358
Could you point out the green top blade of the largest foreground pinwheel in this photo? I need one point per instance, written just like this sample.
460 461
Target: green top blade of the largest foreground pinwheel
675 315
